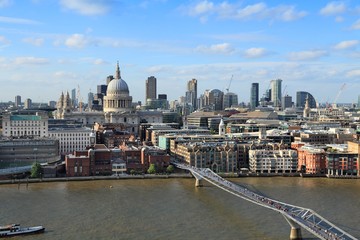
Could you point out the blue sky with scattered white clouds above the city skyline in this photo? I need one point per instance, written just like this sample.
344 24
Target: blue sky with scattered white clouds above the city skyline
52 46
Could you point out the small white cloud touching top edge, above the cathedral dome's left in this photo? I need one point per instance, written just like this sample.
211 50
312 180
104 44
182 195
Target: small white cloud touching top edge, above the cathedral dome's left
87 7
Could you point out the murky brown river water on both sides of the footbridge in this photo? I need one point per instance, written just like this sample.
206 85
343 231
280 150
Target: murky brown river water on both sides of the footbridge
173 208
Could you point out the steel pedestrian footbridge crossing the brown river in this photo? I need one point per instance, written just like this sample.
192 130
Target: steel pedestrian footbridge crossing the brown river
296 216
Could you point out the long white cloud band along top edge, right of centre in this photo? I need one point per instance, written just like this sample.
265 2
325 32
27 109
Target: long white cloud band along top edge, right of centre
254 11
